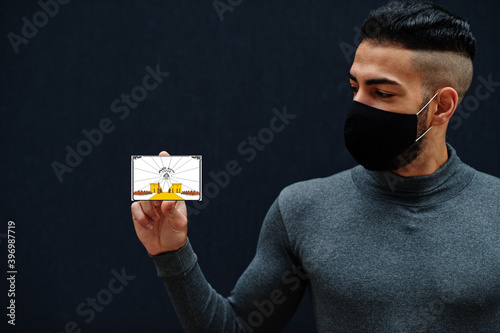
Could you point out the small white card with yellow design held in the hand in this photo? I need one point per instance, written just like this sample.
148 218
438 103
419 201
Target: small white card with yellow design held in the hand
166 177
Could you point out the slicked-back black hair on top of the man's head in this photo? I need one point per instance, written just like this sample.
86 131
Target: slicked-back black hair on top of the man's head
419 25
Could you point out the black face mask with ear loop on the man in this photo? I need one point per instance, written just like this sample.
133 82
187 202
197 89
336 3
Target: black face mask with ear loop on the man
376 137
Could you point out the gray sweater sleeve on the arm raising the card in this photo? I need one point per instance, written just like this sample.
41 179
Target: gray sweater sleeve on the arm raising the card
264 298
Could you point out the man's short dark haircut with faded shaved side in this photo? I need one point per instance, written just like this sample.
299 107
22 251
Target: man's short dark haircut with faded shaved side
443 42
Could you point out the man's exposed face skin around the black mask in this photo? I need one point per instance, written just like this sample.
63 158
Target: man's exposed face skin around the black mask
382 76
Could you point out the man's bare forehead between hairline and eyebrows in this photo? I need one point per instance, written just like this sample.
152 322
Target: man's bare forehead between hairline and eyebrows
373 61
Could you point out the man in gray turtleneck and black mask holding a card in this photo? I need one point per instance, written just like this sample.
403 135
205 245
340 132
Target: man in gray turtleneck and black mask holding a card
409 241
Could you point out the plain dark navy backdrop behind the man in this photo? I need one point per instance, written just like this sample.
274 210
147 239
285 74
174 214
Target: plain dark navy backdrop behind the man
225 79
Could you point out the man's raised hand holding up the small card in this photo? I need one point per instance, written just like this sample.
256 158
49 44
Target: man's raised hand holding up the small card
160 225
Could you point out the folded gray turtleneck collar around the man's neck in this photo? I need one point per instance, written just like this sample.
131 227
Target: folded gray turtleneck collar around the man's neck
440 186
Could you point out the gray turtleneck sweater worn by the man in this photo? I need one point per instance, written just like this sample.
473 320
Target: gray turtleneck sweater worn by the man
379 253
